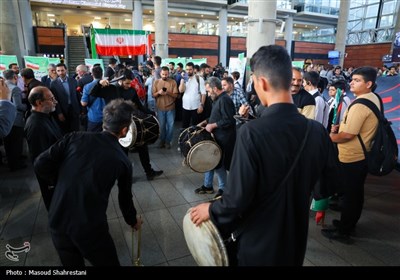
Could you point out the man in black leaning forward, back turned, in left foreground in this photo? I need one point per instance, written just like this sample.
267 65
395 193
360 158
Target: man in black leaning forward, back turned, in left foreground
83 167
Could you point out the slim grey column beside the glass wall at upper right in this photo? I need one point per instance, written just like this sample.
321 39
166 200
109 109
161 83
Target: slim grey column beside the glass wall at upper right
341 30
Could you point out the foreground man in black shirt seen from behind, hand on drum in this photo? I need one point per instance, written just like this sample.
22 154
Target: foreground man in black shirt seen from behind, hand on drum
273 217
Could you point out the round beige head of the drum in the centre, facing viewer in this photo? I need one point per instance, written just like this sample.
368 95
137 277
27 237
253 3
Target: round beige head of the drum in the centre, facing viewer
204 156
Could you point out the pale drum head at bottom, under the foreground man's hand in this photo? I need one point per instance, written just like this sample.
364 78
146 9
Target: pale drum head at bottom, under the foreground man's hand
204 243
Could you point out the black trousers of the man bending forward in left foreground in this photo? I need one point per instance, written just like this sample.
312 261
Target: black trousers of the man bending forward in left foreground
73 250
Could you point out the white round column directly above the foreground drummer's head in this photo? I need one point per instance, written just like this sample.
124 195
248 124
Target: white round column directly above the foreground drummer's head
262 25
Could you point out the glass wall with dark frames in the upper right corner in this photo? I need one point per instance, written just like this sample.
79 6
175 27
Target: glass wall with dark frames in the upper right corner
371 21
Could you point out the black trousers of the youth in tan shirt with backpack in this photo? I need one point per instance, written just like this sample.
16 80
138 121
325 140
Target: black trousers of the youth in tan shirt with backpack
354 175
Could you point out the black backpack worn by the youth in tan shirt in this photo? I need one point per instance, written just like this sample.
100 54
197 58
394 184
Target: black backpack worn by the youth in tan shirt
382 157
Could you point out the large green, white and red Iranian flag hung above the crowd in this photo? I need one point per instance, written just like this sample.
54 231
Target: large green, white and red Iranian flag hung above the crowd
111 42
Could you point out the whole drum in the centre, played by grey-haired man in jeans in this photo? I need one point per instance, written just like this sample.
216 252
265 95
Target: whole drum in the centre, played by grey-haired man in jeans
200 149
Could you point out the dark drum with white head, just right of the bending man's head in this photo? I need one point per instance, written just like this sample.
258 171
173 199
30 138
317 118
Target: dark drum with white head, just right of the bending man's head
141 131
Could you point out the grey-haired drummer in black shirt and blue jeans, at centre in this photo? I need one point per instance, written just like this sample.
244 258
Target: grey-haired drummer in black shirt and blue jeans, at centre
222 124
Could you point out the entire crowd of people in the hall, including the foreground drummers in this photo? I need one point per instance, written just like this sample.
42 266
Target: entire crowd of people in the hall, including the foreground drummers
267 174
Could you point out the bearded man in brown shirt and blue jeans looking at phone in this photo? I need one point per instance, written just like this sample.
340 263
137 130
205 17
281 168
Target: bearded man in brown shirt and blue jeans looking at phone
165 91
